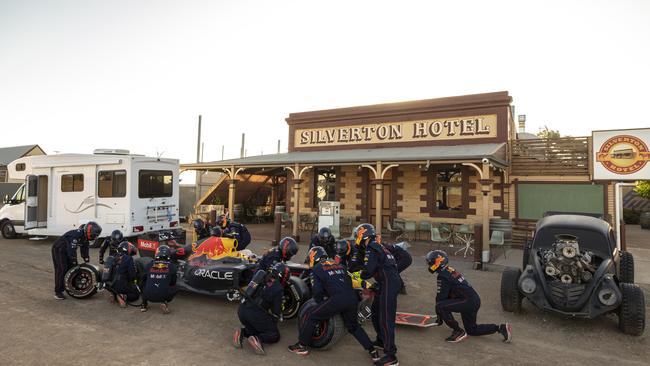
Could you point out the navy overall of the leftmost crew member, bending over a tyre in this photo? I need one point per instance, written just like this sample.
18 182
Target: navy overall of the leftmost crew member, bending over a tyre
64 255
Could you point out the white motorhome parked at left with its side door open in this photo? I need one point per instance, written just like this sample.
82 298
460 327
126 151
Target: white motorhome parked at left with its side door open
132 193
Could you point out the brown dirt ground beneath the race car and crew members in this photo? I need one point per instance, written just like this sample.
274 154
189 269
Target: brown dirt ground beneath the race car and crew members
37 329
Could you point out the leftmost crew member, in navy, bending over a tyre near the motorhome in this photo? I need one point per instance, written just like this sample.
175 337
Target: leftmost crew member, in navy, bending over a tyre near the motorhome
64 252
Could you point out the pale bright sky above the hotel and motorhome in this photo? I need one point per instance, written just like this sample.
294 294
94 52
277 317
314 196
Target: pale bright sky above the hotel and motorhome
87 74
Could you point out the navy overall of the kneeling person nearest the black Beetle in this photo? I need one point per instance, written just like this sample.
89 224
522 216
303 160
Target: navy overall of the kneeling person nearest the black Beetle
456 295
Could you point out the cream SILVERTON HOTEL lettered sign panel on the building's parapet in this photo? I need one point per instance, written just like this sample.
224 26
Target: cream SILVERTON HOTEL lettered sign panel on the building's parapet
461 128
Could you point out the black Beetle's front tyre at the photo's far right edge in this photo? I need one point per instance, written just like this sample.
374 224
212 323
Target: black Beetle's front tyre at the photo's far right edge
631 313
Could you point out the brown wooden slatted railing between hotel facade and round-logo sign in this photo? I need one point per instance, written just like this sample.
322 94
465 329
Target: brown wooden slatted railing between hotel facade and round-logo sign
561 156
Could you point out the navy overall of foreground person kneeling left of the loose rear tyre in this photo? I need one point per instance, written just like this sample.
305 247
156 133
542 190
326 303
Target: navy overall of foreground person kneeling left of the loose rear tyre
254 313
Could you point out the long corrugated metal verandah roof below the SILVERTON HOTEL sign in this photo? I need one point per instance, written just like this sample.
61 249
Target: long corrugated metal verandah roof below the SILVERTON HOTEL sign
494 151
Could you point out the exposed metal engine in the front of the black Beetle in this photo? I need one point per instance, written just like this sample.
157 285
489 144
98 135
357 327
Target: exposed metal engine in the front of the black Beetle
565 262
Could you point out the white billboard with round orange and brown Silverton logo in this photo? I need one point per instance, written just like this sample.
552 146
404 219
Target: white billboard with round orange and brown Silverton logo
621 154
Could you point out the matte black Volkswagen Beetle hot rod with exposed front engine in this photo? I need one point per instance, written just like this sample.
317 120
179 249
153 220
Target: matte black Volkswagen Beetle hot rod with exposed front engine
573 267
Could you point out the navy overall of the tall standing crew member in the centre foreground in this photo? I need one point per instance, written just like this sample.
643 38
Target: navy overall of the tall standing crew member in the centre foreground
381 265
